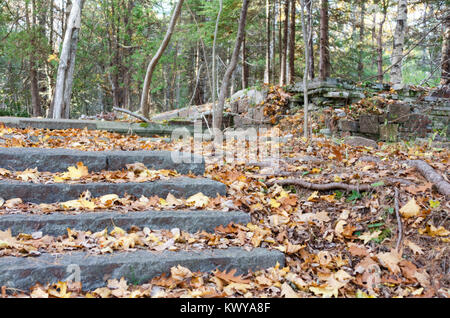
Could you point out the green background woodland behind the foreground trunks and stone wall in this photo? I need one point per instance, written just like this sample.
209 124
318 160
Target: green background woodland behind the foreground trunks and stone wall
118 38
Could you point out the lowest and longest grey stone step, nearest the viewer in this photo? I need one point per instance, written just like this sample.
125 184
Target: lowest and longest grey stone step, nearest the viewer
136 267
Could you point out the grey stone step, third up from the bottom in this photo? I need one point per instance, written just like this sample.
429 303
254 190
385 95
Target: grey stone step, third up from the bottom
60 192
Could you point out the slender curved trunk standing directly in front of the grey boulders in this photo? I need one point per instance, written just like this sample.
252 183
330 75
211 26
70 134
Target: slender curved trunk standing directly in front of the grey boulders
218 110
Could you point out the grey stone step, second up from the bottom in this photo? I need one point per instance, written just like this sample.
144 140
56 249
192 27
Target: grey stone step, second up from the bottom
56 224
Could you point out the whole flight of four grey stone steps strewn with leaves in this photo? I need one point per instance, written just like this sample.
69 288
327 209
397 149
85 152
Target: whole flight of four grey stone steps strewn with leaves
137 266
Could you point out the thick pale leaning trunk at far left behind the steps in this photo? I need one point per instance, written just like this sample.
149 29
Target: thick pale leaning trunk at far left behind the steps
64 79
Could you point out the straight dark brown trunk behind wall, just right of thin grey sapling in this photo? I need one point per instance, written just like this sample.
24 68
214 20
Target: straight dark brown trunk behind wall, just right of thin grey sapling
324 54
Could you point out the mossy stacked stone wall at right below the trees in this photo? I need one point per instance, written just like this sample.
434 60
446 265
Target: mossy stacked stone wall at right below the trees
410 112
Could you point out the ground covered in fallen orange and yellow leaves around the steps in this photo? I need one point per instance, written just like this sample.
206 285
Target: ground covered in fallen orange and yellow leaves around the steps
337 243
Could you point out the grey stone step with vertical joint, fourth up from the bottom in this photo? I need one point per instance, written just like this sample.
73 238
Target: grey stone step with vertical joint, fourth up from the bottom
57 160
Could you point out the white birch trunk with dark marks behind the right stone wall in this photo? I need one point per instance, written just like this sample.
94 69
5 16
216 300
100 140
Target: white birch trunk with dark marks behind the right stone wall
399 41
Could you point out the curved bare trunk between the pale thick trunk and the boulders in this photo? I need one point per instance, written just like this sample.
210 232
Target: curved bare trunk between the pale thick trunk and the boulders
145 106
